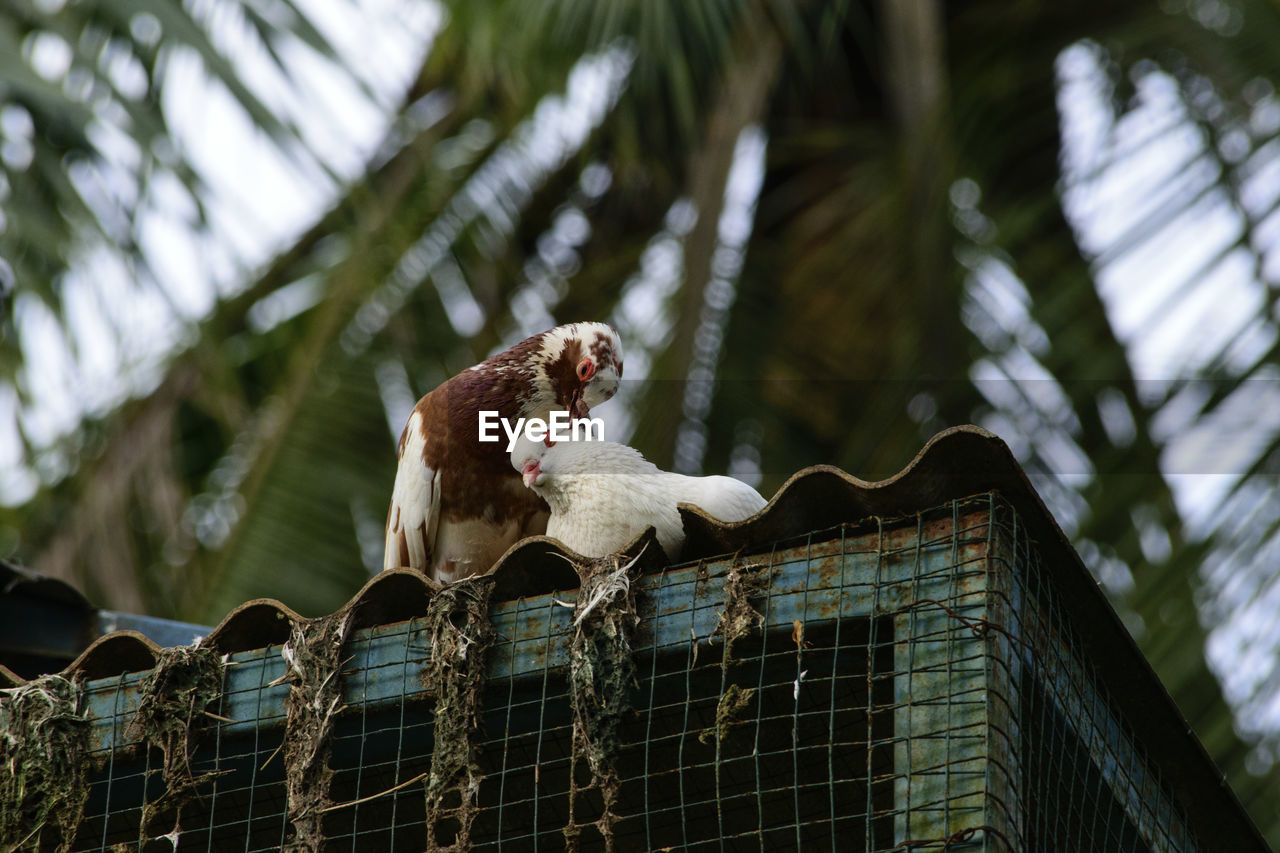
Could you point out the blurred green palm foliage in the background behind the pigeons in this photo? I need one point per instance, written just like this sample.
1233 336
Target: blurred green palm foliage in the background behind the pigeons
915 161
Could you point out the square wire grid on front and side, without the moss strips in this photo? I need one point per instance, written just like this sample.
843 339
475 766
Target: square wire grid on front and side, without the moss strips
916 687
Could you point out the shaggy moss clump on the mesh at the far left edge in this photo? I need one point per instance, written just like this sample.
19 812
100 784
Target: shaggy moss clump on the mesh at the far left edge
44 737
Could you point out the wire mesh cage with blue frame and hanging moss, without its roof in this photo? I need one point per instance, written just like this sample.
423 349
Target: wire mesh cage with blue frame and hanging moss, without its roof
883 686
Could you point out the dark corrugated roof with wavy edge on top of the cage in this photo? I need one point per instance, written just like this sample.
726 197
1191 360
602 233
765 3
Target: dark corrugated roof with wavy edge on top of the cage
954 464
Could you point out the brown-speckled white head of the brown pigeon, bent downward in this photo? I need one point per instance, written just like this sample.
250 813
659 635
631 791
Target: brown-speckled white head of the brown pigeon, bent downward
579 367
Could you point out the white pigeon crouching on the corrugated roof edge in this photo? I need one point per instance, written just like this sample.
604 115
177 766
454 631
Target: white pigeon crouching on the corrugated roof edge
604 495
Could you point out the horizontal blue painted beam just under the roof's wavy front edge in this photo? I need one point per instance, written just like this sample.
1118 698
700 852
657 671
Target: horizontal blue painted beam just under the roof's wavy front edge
676 605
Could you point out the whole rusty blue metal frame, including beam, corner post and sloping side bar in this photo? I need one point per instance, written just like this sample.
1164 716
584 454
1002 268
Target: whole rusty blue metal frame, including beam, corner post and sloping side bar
961 589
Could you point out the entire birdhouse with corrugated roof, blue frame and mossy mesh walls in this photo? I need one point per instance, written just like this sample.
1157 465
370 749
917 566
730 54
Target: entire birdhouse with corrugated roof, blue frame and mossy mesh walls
921 664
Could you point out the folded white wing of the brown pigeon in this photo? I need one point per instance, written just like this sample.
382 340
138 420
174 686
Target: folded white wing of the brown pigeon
414 518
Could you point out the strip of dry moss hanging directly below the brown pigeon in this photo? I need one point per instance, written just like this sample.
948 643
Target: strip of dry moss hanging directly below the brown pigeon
460 636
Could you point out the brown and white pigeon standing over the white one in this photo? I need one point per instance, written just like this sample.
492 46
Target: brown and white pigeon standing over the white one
456 505
